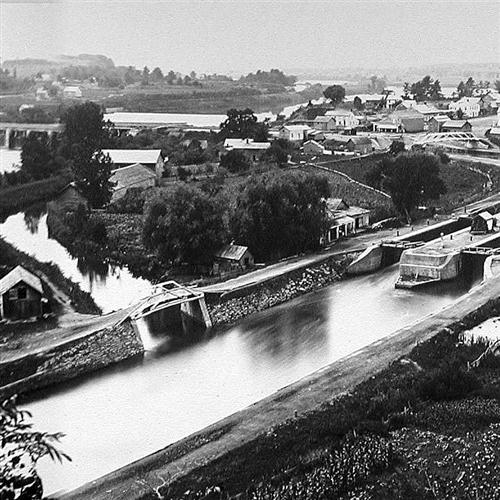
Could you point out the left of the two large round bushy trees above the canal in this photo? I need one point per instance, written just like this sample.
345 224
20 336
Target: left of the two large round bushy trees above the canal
186 226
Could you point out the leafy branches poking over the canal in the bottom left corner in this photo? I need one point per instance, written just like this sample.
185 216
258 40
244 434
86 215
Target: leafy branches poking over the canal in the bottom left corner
21 448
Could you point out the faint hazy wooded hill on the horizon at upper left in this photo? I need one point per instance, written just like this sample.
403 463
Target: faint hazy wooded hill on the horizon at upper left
29 67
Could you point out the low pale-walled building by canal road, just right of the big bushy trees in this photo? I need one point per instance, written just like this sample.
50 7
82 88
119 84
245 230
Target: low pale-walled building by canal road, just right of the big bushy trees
343 220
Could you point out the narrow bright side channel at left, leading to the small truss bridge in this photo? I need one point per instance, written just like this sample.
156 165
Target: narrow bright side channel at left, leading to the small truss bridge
112 287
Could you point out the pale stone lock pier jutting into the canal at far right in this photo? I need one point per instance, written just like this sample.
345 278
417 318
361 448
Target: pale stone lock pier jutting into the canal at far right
446 257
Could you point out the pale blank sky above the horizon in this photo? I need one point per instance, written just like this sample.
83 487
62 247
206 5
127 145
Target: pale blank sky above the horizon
235 36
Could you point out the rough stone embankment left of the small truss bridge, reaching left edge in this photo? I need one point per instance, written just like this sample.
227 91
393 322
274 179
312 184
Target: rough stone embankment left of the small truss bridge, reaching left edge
70 359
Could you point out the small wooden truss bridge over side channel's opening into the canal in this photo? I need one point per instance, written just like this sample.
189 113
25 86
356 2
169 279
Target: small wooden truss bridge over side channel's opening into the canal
172 295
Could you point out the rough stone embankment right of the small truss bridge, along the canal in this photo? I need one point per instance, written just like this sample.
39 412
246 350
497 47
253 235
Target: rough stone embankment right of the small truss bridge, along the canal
231 308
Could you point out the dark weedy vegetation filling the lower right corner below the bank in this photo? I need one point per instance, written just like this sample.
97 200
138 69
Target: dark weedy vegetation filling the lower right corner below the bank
426 427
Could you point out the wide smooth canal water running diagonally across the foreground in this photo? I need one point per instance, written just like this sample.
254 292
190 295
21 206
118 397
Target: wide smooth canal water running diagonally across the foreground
121 414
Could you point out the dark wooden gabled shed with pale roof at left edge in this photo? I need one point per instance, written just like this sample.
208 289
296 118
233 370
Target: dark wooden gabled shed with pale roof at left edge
21 295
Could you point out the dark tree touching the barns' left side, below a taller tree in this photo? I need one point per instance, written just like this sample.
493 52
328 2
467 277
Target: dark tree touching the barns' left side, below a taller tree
92 177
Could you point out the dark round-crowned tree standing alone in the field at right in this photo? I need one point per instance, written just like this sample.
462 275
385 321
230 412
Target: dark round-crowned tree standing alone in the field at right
411 179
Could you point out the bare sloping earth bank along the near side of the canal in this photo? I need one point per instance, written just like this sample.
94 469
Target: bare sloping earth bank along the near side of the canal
210 446
